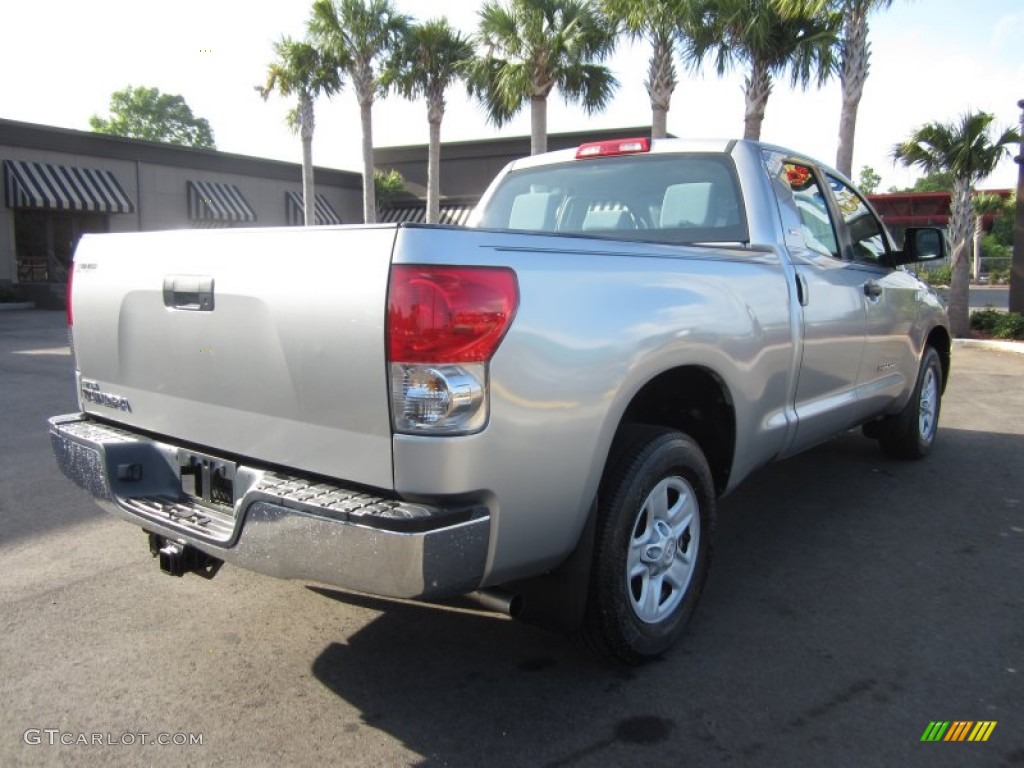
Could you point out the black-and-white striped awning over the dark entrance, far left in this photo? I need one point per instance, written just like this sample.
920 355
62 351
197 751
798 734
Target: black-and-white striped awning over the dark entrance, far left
62 188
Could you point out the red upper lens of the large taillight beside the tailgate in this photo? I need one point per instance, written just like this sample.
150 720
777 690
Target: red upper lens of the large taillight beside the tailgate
449 314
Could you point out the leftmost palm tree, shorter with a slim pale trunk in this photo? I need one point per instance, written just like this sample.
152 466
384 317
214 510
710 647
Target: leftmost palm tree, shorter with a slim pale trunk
303 71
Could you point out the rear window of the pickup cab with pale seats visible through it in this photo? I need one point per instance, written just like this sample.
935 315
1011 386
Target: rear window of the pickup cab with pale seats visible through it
661 198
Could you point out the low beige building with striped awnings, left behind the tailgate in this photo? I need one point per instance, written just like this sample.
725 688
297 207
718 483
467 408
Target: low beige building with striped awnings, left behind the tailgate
60 184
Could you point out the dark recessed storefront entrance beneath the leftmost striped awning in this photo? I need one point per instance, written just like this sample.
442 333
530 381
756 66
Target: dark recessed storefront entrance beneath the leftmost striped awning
45 242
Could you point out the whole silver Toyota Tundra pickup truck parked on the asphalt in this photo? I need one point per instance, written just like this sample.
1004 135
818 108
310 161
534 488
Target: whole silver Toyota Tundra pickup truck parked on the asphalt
540 410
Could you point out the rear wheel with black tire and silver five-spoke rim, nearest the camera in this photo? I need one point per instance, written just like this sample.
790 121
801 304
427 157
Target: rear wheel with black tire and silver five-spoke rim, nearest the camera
637 615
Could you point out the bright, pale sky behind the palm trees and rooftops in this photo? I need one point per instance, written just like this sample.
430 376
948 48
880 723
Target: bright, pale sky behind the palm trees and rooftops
932 61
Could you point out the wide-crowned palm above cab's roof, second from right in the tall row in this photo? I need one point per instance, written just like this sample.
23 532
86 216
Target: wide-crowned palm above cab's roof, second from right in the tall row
771 36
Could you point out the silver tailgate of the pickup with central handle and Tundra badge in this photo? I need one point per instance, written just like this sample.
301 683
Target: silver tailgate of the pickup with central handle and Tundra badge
261 344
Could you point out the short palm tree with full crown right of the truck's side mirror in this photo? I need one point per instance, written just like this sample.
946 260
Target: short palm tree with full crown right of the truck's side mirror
967 151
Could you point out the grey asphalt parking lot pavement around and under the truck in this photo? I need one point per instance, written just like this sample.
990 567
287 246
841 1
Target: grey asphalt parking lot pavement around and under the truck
854 601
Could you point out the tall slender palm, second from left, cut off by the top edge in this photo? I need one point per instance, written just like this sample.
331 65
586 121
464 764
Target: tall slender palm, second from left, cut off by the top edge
360 35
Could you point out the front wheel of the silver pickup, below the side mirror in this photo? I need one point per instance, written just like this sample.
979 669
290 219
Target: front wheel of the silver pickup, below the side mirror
911 434
